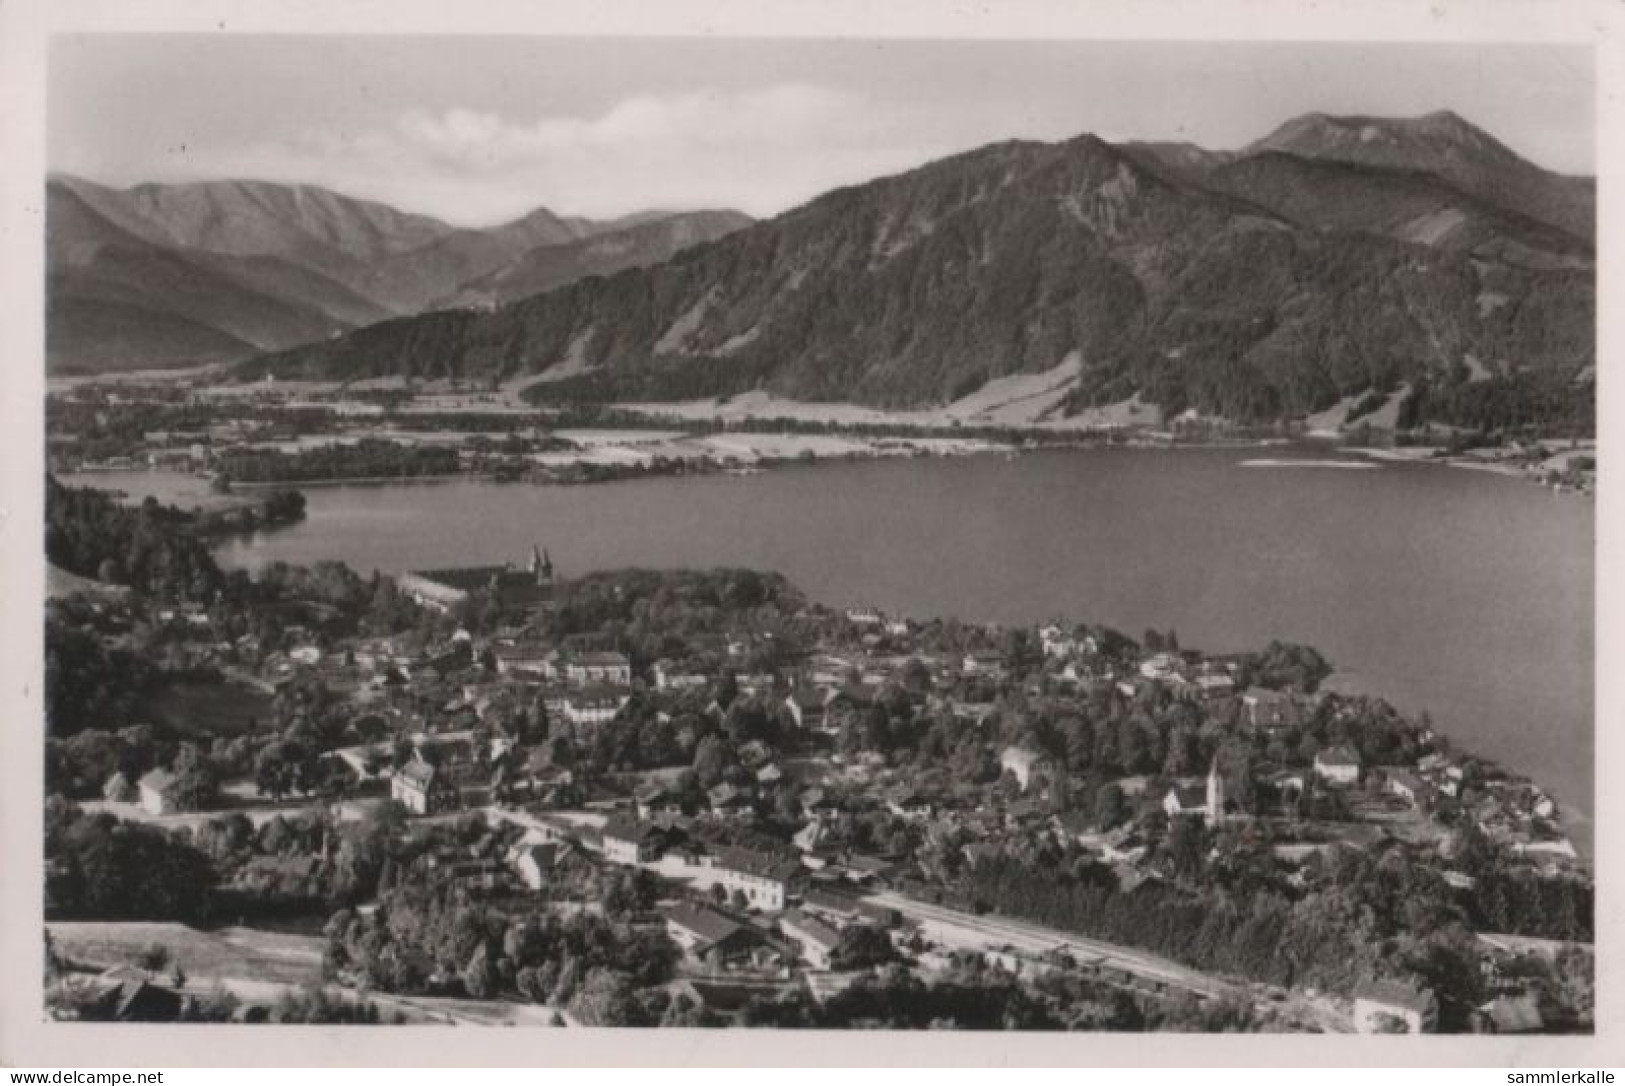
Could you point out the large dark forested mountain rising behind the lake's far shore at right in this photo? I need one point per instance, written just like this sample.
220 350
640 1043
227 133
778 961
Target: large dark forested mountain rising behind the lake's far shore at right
1255 285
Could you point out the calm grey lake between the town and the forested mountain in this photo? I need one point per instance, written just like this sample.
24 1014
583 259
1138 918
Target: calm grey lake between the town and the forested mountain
1458 593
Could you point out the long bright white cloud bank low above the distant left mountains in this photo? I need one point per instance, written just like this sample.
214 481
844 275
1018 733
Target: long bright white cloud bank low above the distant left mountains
760 150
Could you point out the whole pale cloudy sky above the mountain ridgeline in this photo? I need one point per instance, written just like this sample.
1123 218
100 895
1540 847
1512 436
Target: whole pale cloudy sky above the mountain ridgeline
483 129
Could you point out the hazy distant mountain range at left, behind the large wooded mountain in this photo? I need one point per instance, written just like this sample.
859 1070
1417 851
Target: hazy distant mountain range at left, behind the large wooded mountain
209 272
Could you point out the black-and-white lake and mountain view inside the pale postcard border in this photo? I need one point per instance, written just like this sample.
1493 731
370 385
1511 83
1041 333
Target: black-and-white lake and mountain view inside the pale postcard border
839 532
